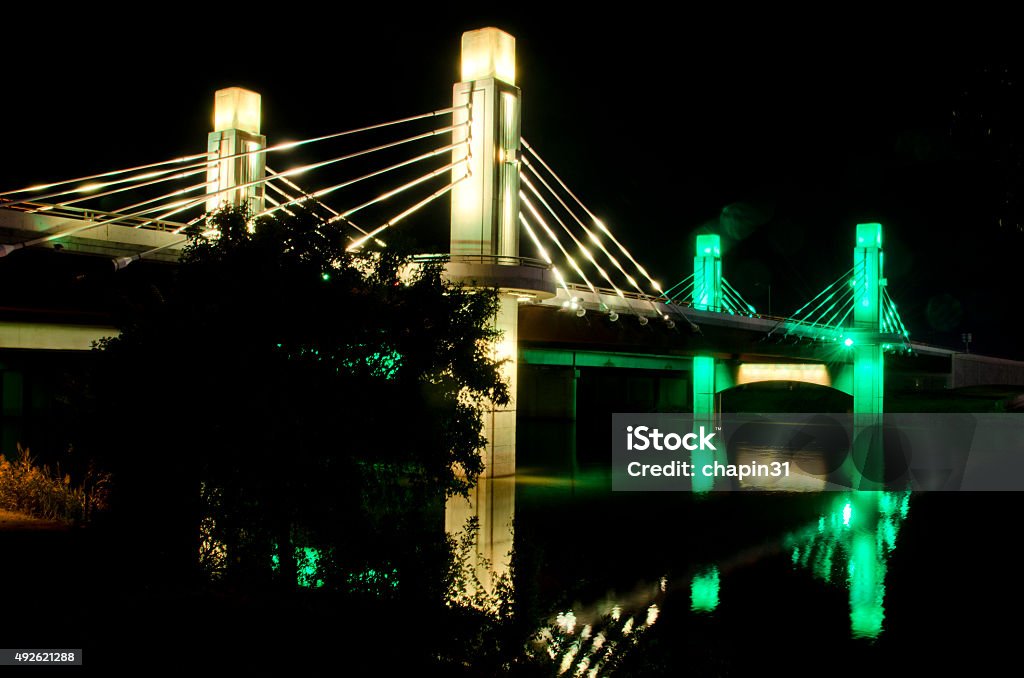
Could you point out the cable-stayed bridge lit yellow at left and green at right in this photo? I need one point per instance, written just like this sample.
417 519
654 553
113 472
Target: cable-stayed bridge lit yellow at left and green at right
574 295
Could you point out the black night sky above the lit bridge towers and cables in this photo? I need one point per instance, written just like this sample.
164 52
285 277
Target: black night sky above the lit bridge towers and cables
780 138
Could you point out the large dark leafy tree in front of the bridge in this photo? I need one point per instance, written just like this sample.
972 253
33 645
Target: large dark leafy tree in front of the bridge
298 397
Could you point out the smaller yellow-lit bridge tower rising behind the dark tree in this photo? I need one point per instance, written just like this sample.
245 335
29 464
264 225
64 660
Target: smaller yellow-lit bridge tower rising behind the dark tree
237 180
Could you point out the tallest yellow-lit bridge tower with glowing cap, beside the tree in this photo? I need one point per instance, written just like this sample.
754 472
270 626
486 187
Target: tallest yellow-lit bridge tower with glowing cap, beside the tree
486 213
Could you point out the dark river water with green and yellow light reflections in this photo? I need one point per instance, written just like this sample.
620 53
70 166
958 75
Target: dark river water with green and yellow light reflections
729 584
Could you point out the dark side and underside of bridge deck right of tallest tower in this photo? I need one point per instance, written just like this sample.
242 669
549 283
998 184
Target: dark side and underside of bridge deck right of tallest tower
736 343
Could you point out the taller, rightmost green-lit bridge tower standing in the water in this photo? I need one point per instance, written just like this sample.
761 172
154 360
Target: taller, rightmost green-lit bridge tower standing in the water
869 359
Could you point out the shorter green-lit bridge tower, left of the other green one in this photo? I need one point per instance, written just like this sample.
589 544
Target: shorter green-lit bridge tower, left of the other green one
707 296
